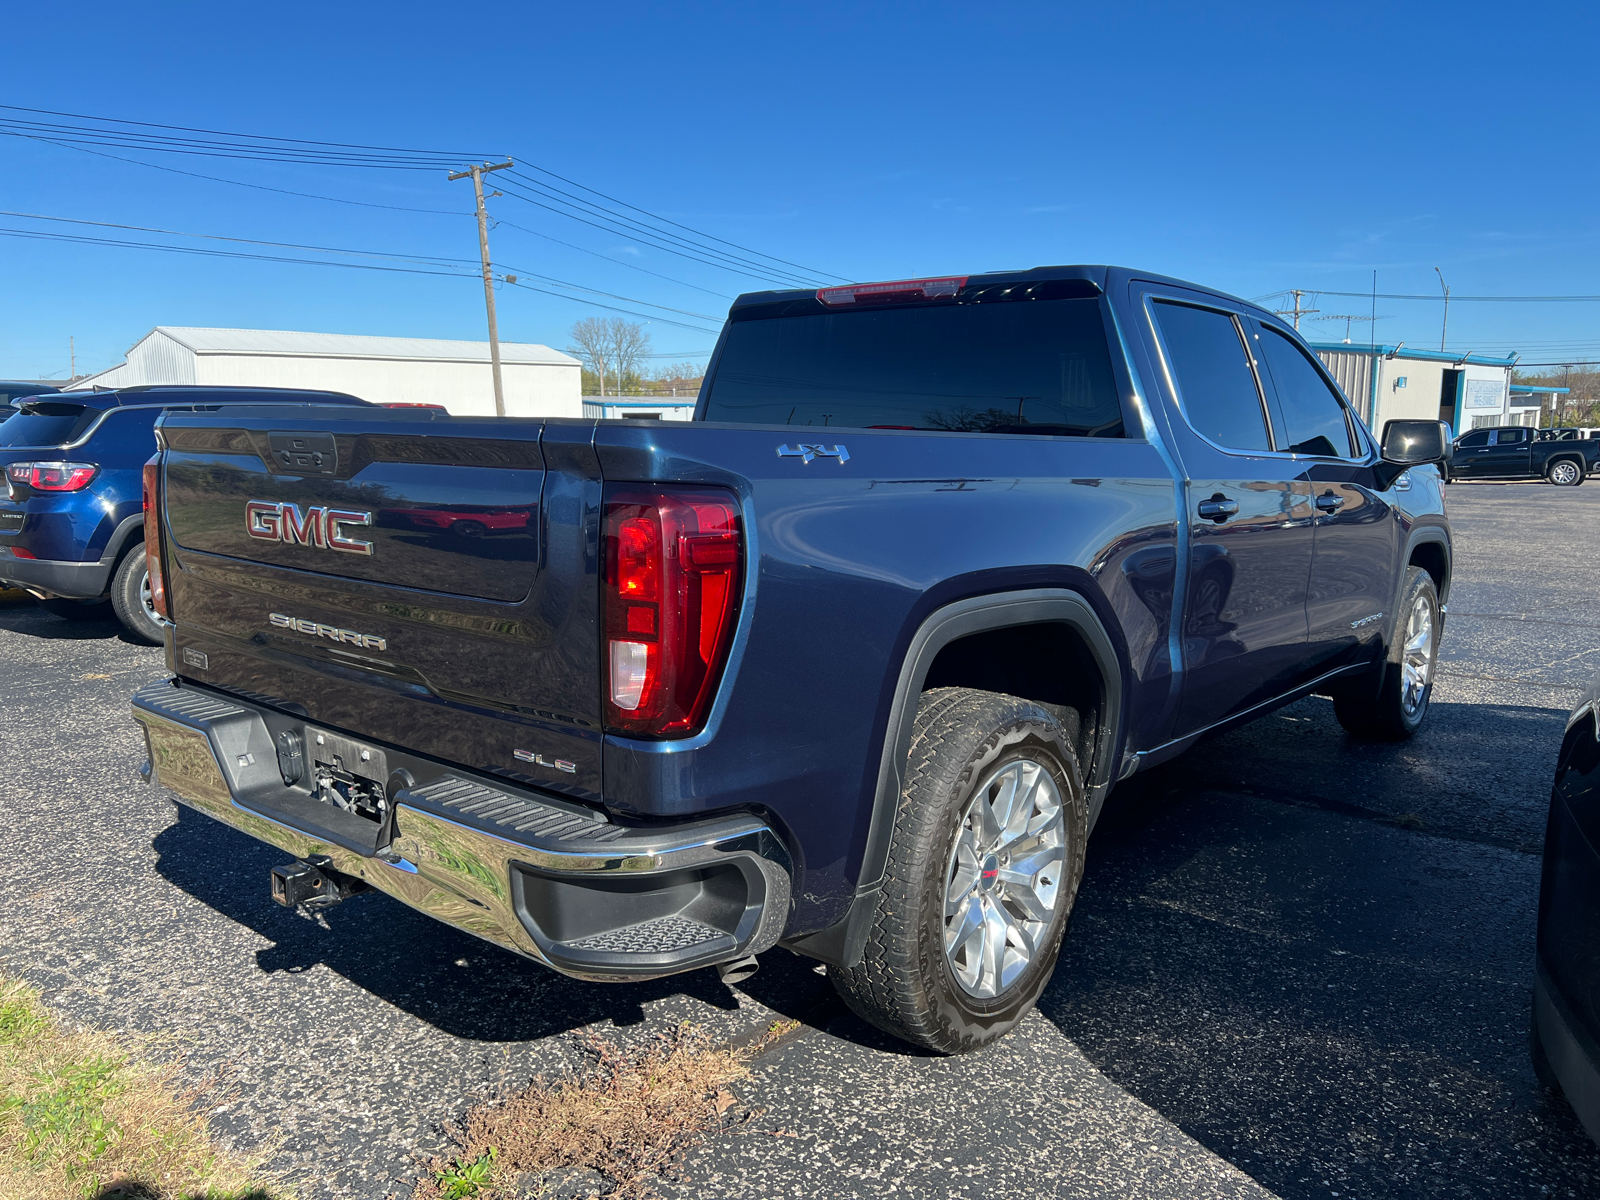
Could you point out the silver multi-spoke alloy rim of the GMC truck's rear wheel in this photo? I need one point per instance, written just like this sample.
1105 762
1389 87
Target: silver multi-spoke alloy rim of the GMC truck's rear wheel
1004 878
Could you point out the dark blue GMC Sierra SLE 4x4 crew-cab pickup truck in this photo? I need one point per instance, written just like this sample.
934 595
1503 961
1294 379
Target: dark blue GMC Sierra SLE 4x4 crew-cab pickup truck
850 665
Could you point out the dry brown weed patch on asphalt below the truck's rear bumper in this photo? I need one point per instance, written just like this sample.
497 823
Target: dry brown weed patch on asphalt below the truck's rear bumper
630 1118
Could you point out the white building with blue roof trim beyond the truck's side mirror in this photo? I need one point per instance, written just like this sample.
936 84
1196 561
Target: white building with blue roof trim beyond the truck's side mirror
1391 382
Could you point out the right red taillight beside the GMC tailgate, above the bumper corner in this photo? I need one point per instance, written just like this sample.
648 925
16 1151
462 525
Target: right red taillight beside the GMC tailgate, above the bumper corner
671 599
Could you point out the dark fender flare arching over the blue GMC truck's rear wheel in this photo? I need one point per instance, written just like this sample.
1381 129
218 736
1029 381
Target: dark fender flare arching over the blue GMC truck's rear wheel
846 942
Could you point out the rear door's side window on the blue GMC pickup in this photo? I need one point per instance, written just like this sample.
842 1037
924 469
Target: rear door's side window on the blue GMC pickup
1215 385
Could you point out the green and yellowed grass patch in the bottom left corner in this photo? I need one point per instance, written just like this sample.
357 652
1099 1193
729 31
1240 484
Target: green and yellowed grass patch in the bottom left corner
82 1118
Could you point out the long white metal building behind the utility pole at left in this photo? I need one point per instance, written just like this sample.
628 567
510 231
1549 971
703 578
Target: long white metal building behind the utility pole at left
538 382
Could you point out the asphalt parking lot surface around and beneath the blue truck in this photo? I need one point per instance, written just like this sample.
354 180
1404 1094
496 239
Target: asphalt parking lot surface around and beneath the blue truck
1300 967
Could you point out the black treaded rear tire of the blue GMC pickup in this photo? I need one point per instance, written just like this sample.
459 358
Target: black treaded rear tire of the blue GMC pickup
906 985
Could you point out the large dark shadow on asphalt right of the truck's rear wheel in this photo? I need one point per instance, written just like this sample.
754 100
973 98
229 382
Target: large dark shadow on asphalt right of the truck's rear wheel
1316 980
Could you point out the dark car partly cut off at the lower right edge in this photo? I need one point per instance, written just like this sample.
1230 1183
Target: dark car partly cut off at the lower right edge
1567 966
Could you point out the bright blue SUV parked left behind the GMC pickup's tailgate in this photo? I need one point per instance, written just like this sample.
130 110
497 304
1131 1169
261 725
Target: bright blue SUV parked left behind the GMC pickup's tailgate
73 514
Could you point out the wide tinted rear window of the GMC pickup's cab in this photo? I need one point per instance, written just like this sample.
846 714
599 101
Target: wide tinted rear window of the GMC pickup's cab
985 366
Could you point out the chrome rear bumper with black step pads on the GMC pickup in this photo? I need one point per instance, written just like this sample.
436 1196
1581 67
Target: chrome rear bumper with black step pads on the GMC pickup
538 876
